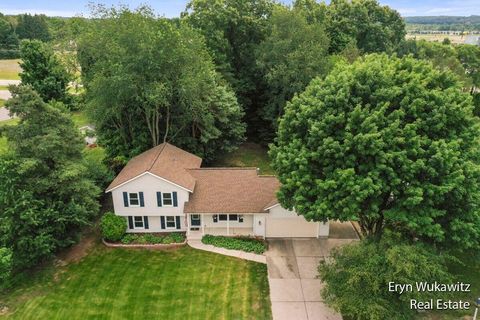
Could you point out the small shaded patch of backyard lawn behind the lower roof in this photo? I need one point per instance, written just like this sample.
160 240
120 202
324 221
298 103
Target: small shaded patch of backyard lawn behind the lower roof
247 155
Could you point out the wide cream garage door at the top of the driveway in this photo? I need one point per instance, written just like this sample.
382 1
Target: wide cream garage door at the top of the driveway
294 227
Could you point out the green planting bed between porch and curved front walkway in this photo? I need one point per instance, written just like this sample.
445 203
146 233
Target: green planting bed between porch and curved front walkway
237 243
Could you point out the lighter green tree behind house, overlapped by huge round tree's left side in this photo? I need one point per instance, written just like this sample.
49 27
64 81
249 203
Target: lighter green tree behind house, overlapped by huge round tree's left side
295 52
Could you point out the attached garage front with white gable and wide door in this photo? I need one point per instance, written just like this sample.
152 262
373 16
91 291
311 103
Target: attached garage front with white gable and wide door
282 223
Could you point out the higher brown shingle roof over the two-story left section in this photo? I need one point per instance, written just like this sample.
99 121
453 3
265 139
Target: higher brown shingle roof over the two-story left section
166 161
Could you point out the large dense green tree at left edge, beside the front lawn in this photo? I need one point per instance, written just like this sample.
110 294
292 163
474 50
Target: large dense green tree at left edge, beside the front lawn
46 197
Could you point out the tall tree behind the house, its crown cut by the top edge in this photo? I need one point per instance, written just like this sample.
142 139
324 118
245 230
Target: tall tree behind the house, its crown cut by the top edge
232 30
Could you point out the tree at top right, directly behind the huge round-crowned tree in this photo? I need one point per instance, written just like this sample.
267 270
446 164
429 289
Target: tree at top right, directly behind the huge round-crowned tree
372 27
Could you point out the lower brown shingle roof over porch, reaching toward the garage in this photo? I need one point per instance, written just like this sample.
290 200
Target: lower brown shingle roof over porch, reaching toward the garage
231 190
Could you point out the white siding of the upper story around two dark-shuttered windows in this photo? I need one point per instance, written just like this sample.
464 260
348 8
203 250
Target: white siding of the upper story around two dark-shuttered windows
149 185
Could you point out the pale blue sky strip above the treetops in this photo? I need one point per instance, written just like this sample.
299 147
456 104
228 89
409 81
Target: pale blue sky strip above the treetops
172 8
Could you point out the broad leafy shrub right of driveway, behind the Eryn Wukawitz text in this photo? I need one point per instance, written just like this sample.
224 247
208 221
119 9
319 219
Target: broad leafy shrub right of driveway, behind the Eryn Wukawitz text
358 275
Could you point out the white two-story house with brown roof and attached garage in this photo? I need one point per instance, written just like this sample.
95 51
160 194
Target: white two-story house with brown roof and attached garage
164 189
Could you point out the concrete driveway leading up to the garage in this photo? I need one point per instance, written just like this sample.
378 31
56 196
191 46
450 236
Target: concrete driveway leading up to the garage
293 276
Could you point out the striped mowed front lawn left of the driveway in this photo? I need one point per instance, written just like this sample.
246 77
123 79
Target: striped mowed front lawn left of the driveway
141 284
